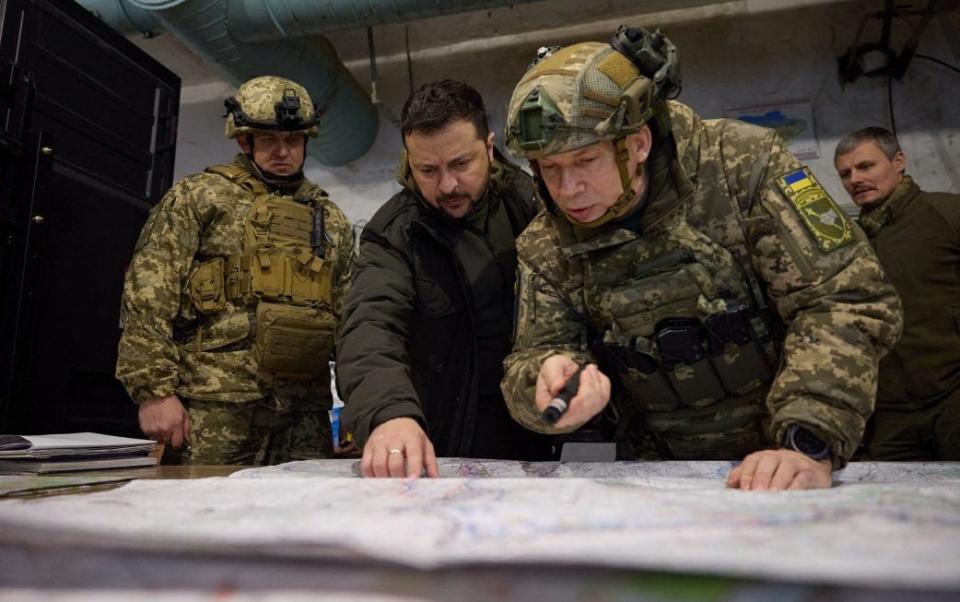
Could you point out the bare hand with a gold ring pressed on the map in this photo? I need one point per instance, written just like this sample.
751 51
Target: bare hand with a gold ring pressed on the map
398 448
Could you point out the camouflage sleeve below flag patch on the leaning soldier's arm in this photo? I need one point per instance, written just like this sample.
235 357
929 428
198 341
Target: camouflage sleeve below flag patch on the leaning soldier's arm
841 314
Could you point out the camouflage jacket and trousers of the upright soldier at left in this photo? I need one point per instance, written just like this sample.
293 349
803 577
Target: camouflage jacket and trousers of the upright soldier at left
239 413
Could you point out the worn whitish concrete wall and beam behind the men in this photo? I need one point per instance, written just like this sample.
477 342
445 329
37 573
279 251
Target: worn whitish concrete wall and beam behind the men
733 54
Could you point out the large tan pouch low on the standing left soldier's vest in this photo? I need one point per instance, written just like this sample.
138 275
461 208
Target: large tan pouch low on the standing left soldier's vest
293 342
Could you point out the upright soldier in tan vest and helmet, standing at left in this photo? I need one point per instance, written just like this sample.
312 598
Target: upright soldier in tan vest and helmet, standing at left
234 293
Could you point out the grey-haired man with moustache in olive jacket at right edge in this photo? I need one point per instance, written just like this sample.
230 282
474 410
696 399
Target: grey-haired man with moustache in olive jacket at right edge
917 237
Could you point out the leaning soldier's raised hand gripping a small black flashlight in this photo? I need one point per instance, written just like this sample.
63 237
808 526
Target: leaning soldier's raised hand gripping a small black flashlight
591 397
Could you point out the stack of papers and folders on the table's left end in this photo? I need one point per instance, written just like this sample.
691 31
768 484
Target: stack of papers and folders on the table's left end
77 451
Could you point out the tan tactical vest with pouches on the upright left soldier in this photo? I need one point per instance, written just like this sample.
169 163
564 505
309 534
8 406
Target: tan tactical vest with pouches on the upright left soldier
283 273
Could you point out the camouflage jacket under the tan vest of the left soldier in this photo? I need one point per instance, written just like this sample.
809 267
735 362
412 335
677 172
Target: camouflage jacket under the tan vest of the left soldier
167 347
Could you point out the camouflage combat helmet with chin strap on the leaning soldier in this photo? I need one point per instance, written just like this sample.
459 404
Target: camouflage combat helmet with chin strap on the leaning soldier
578 95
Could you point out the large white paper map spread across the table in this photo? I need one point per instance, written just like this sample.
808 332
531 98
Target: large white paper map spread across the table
884 525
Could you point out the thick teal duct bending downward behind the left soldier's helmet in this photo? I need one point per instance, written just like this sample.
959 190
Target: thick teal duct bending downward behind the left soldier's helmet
349 121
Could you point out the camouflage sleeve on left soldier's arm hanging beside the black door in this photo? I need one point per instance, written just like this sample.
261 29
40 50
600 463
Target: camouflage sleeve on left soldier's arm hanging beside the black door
148 359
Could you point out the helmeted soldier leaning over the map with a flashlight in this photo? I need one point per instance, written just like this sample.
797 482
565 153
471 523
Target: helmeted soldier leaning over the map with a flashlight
721 305
